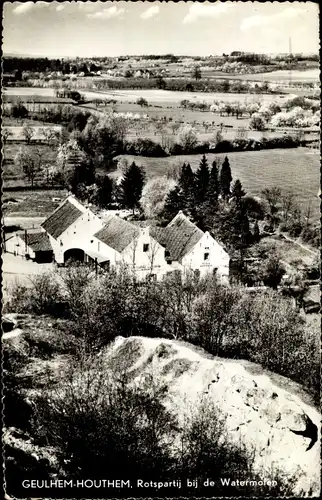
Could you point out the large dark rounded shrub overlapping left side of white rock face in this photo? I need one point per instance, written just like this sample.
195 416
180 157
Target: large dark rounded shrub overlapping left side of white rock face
102 423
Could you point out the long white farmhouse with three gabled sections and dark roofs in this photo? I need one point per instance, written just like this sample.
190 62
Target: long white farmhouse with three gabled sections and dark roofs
75 232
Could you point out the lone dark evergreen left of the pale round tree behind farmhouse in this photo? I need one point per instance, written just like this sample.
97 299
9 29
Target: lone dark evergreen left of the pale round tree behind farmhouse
131 186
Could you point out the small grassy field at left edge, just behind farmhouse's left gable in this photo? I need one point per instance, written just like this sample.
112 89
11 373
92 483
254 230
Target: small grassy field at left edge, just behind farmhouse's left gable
31 203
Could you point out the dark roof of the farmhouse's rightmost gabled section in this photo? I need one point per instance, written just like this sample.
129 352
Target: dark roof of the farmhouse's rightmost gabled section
179 237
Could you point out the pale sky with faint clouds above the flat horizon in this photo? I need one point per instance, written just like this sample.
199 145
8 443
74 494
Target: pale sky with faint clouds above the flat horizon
87 29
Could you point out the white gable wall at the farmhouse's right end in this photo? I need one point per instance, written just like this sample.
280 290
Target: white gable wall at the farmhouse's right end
217 258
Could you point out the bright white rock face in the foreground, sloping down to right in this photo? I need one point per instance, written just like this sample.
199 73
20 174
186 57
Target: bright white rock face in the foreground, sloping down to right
266 412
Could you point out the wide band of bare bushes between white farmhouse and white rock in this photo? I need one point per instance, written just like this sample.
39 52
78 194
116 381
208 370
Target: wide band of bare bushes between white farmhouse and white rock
228 321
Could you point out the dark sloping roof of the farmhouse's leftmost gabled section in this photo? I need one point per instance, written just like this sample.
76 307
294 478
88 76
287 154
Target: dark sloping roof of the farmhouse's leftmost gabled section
61 219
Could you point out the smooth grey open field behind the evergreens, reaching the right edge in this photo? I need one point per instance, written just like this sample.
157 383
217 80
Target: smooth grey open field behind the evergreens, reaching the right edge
296 170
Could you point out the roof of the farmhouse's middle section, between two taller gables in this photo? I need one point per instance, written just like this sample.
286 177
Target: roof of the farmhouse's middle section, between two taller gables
117 233
